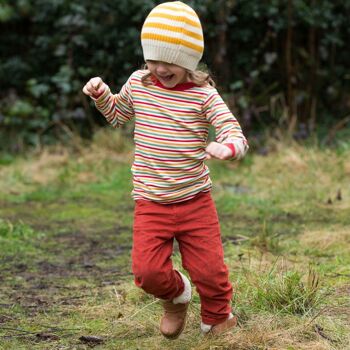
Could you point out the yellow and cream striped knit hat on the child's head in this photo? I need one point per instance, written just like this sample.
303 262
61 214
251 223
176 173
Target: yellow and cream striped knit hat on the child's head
172 33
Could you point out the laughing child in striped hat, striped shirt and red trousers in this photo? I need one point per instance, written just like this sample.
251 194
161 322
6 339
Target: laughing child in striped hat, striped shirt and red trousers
173 106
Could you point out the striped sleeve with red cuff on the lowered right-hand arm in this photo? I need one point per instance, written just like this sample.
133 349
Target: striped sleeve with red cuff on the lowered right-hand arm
227 129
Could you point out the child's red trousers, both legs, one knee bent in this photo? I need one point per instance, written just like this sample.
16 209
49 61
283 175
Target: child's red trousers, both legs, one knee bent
194 224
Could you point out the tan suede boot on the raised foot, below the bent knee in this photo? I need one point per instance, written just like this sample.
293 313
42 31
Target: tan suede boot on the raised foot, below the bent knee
174 319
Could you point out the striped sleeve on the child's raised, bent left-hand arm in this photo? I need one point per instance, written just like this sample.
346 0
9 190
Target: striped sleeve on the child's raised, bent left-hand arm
118 108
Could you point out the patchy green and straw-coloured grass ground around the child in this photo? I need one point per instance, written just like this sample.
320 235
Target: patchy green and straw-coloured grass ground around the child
65 240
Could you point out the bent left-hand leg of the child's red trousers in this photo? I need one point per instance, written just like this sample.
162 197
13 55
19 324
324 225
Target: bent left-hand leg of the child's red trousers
152 248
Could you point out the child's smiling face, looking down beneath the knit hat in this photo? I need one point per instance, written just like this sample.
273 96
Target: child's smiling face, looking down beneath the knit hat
168 74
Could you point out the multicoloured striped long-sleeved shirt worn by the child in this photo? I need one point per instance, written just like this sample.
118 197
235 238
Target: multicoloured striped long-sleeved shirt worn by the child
171 130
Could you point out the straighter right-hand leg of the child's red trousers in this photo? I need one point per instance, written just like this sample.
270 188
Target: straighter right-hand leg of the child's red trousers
202 256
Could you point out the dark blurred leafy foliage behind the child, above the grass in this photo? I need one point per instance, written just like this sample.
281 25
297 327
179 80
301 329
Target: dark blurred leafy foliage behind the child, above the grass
278 63
